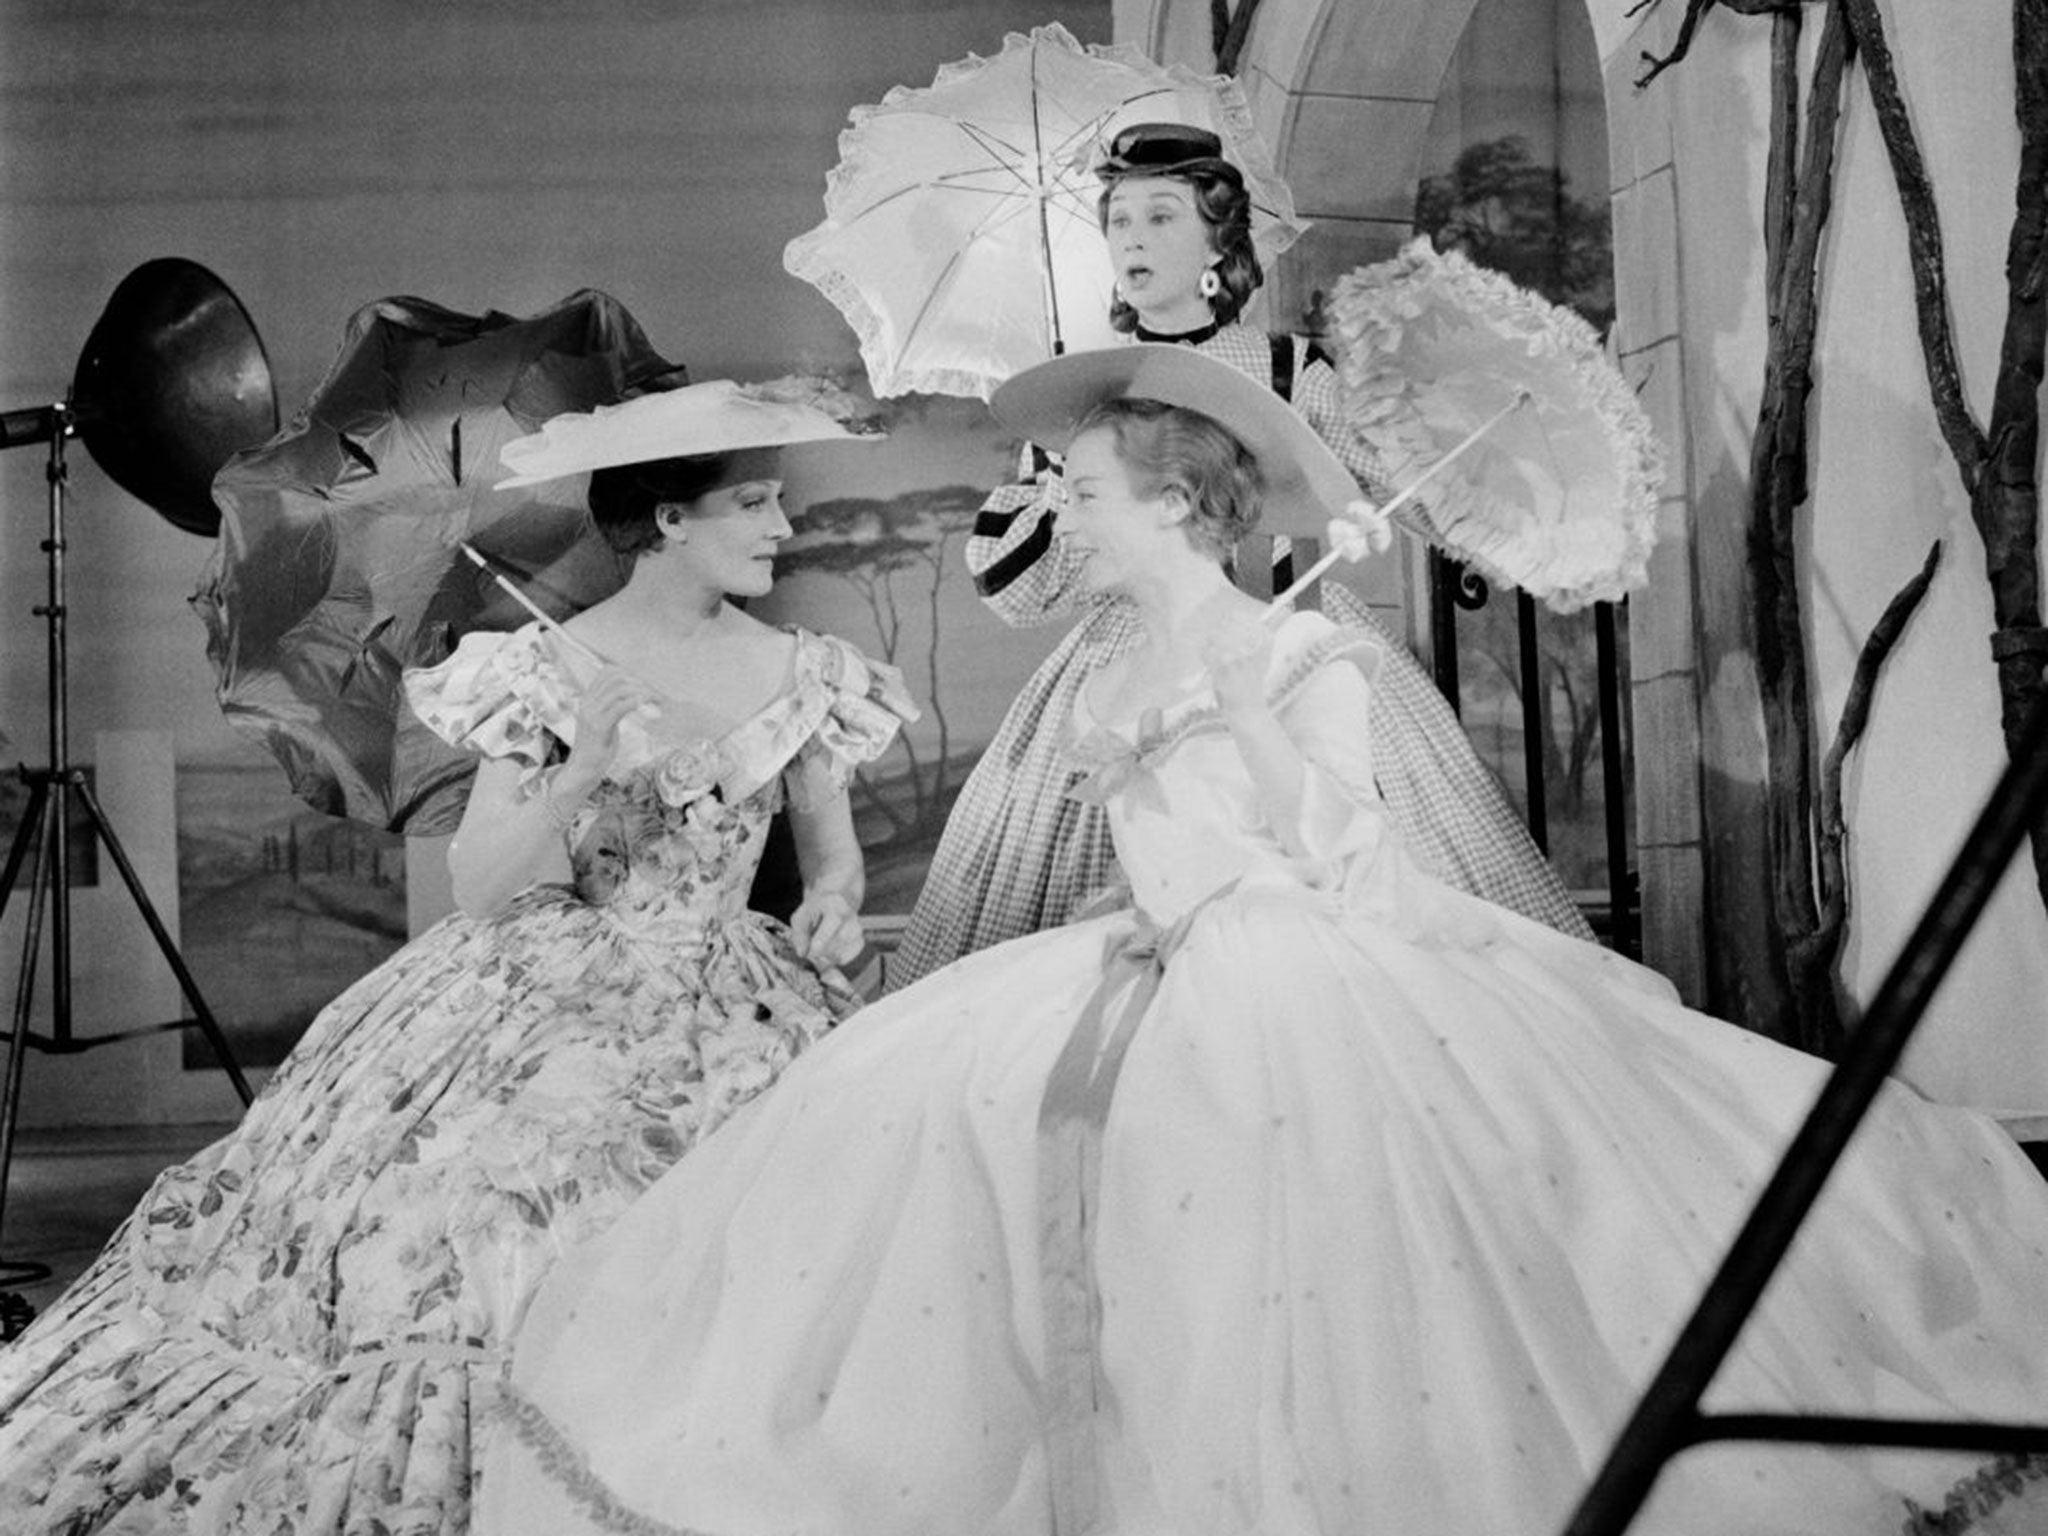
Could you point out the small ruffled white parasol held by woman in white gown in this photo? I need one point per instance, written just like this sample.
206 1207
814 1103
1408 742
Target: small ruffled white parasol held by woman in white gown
1558 495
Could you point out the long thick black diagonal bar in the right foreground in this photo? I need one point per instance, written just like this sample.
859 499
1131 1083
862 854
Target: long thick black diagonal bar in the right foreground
1668 1412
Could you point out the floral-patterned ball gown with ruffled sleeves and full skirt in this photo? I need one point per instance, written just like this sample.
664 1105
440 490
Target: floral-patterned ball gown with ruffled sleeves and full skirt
300 1330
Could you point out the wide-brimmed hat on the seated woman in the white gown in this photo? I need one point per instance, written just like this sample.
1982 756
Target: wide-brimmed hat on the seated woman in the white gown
1306 484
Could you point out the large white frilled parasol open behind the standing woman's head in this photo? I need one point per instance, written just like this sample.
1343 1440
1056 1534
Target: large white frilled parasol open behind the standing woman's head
962 237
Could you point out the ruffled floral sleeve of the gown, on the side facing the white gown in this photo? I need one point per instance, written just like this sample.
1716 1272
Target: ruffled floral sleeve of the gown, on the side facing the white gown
841 712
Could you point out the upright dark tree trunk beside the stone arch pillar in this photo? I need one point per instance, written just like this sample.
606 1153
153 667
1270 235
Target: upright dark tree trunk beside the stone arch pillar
1777 497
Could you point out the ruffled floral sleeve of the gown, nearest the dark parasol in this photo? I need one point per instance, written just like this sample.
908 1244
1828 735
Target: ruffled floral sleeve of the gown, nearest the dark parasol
499 695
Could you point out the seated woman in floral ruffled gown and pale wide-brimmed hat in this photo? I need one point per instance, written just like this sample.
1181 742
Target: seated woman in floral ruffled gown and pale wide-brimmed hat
300 1330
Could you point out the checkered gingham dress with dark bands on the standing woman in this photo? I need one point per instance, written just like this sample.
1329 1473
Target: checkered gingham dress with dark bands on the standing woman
1019 855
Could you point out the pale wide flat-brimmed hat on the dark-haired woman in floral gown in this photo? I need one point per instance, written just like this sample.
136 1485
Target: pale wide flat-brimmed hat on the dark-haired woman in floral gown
716 417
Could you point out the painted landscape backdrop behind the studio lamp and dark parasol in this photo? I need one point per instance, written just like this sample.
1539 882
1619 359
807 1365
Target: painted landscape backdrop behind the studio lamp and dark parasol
484 157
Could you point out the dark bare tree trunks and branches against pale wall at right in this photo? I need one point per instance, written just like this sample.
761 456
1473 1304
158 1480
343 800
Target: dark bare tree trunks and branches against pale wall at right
1998 462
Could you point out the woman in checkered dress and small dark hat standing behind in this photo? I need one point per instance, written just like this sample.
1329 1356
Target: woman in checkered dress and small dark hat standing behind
1019 855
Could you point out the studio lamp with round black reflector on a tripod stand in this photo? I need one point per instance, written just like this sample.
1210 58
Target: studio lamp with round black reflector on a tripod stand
142 347
